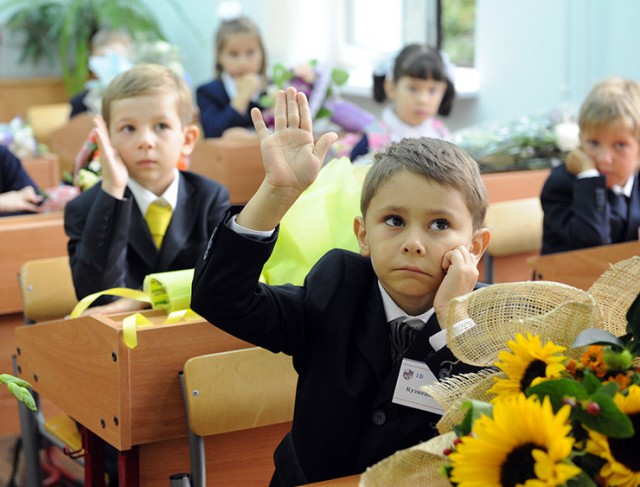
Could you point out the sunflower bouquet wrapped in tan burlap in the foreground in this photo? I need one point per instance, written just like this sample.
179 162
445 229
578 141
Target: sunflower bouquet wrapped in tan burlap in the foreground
559 404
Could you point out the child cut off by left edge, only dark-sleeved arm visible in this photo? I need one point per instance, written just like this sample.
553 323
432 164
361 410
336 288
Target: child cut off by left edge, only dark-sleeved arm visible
18 192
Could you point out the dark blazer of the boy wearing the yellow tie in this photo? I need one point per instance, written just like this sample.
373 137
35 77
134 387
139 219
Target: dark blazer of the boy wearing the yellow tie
110 244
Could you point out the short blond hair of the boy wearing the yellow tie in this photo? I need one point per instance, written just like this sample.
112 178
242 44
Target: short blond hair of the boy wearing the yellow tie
149 79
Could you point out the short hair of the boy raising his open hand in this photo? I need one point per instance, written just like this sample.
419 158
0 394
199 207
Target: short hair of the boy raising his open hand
439 160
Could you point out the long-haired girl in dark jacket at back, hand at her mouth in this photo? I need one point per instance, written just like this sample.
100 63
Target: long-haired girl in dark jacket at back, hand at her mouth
225 103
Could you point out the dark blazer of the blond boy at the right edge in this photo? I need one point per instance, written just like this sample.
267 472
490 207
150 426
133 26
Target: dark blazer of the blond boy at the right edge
577 213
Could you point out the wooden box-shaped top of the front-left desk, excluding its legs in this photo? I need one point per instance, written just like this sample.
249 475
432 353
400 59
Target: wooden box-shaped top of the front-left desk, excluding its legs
126 396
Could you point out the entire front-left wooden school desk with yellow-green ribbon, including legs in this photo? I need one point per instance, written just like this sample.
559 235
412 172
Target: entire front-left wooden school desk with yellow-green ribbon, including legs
132 398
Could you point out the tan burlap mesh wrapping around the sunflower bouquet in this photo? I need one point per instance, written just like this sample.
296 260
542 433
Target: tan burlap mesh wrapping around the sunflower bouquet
479 326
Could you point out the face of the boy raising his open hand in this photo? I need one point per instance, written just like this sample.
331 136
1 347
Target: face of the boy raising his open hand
411 223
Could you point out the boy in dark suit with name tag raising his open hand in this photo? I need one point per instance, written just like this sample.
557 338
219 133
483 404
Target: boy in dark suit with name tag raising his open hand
420 238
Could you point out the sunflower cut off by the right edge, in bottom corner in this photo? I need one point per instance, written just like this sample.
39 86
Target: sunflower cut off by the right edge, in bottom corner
622 465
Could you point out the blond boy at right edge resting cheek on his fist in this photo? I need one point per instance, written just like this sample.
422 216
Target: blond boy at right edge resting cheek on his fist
594 198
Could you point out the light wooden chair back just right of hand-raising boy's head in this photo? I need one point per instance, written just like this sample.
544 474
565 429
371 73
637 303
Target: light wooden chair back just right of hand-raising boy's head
516 228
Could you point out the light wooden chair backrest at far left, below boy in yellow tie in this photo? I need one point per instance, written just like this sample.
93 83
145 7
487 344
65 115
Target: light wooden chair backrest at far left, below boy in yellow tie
47 289
